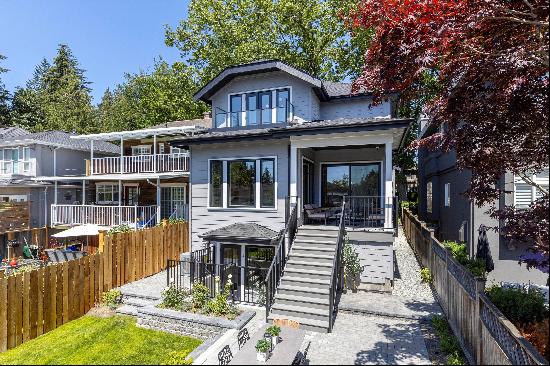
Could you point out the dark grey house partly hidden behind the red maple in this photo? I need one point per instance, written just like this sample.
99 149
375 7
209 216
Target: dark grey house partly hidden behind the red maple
441 188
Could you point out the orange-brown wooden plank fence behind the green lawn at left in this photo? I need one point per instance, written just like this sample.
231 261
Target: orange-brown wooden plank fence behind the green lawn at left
36 302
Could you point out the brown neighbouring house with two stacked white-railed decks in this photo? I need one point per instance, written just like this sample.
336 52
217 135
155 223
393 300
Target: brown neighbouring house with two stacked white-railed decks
145 182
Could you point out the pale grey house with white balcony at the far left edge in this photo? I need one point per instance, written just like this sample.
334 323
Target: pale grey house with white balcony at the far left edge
23 157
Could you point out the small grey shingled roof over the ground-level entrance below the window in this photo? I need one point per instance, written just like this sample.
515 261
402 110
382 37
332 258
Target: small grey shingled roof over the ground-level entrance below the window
242 232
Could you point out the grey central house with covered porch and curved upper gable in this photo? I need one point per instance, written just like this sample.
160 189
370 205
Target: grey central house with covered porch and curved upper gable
278 133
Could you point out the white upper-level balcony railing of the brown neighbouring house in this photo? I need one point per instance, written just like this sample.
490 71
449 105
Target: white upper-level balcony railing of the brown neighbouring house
160 163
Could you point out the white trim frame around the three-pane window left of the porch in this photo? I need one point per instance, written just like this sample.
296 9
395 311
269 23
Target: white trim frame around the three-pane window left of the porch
225 185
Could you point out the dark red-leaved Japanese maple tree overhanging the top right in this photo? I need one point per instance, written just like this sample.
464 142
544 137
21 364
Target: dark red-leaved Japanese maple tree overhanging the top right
490 62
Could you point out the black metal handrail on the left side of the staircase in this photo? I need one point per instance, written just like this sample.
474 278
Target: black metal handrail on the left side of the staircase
276 269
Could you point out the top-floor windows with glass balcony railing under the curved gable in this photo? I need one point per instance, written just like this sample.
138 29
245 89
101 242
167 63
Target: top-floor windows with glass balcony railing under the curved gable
256 108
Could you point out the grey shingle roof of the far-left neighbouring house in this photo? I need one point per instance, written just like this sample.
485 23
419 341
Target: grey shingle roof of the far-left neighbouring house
63 139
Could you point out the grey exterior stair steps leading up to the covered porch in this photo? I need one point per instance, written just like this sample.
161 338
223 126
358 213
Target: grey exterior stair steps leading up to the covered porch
304 292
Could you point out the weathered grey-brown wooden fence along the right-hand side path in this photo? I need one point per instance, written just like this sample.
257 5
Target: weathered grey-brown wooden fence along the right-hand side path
486 336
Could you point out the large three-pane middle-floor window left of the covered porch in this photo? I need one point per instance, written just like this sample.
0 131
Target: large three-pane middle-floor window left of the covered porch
249 183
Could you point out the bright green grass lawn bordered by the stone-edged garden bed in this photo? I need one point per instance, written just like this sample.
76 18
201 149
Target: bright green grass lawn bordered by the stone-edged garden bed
107 341
